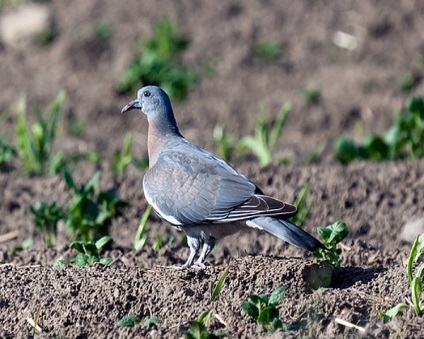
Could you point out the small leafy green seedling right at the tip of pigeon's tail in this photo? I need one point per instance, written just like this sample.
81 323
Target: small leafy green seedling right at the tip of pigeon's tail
331 236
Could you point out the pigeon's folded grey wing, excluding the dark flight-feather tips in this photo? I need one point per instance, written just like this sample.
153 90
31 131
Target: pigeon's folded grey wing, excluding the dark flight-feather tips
194 187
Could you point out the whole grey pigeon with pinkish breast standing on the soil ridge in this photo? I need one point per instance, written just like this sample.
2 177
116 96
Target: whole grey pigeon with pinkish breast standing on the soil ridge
201 194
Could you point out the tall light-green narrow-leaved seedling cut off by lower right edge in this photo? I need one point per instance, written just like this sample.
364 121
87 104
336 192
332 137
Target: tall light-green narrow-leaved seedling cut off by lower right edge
415 278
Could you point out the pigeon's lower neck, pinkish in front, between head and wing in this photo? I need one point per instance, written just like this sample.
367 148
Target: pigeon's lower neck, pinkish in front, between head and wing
160 138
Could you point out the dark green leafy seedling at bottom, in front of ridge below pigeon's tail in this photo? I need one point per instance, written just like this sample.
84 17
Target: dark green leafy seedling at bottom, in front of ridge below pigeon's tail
263 309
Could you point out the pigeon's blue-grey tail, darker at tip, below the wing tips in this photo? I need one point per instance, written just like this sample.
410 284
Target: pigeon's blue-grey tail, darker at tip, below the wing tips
286 231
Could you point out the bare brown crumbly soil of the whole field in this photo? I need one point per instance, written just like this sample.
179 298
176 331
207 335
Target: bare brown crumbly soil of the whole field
360 92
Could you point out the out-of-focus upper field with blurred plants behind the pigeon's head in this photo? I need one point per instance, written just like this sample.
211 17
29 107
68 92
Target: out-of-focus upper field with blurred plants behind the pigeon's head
345 67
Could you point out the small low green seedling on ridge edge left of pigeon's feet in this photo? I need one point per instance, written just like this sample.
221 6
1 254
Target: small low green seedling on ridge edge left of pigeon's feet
88 253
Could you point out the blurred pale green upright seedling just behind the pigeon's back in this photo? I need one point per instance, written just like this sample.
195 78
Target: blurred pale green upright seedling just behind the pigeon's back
266 135
